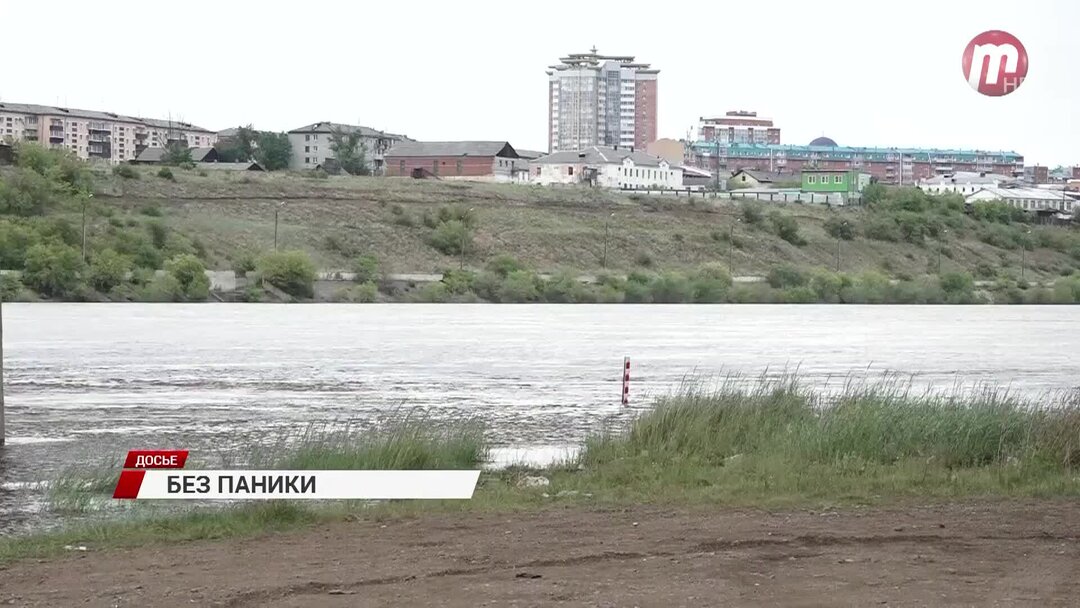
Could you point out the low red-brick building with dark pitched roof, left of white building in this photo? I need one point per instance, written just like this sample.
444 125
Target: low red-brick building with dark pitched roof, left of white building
484 161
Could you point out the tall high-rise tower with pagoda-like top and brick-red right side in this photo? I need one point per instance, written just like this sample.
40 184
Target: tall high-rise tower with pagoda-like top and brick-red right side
601 101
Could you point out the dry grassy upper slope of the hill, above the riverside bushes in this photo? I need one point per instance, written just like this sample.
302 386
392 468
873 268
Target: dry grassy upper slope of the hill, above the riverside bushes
231 218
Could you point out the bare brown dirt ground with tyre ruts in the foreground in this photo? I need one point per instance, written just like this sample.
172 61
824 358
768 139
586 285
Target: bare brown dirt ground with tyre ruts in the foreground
971 555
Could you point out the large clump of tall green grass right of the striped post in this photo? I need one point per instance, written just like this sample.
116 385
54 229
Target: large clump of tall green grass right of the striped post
883 424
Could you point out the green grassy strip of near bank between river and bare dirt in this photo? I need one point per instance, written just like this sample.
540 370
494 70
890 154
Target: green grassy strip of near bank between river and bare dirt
772 444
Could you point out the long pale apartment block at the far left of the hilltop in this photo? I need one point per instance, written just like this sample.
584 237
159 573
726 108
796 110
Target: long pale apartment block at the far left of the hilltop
91 134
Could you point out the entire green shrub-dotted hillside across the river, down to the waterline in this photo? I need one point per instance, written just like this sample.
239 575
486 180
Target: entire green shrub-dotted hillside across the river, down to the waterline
151 234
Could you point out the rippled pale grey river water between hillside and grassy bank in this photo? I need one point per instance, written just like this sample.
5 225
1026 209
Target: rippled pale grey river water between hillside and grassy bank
87 382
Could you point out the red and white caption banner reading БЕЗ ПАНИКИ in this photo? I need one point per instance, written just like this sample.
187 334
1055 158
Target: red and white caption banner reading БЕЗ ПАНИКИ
160 476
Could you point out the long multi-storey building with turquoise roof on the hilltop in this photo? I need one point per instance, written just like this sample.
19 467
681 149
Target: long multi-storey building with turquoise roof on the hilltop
903 167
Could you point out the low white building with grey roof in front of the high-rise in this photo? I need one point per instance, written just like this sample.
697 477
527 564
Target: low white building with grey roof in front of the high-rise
609 168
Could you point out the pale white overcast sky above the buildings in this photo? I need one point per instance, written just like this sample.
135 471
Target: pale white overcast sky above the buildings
866 74
